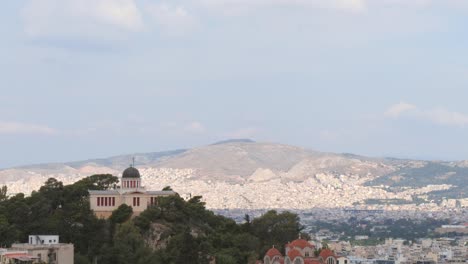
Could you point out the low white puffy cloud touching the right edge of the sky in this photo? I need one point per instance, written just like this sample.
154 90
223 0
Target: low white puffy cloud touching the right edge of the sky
439 116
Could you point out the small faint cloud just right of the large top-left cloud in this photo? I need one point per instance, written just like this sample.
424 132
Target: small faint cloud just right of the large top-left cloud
172 20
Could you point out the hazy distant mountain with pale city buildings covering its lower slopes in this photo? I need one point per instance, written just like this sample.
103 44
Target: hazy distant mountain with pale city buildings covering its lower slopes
243 173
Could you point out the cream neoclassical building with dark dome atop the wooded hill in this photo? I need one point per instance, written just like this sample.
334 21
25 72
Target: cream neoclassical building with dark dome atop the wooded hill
130 192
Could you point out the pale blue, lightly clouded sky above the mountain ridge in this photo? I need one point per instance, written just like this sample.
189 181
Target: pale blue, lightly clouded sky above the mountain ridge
84 79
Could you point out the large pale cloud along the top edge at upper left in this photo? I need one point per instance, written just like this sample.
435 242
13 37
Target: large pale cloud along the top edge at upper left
72 18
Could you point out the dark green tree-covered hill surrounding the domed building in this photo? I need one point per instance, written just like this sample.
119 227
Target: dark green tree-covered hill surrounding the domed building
173 231
